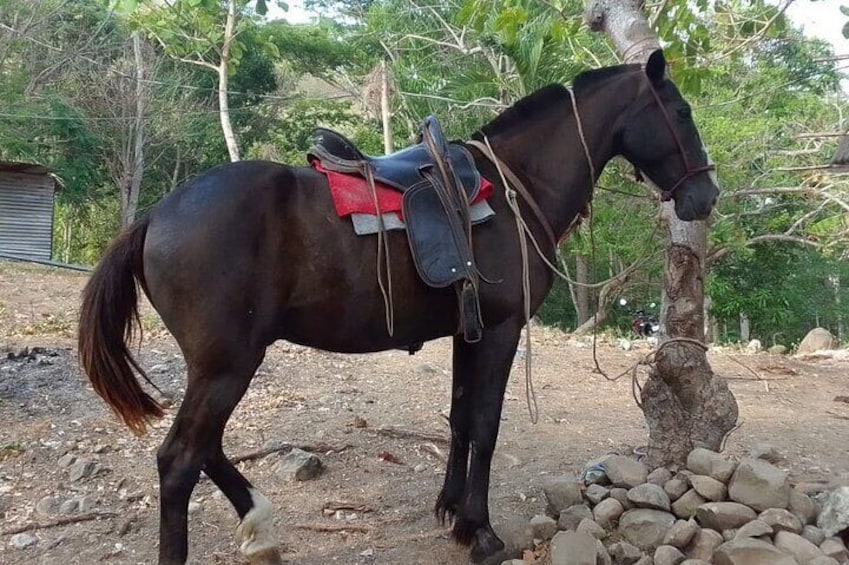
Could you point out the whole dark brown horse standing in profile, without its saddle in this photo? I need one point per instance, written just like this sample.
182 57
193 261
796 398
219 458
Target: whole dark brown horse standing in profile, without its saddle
253 252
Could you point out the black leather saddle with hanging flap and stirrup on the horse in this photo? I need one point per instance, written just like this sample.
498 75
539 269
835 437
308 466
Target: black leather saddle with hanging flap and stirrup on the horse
439 181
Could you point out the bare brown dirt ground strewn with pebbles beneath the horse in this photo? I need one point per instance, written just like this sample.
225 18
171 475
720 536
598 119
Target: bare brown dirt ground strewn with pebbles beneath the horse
47 410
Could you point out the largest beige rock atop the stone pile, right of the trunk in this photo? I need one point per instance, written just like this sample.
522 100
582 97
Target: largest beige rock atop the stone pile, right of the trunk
760 485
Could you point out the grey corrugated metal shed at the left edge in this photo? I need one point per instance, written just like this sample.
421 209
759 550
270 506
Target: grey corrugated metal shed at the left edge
26 210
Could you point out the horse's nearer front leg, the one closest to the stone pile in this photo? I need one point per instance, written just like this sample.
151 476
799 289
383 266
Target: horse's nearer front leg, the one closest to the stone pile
487 364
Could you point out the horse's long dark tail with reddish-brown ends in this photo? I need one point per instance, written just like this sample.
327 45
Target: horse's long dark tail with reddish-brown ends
108 317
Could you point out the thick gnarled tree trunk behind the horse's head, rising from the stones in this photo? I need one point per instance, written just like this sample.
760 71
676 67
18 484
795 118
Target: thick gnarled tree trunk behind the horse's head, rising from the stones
684 403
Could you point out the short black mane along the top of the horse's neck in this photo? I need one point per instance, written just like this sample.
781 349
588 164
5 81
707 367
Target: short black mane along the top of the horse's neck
540 102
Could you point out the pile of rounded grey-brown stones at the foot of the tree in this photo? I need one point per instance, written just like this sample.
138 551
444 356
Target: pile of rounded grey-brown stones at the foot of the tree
713 511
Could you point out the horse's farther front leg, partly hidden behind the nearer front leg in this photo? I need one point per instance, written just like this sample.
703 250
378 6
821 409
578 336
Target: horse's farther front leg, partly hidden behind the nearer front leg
458 457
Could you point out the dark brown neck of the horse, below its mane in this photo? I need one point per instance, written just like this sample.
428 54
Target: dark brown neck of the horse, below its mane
554 154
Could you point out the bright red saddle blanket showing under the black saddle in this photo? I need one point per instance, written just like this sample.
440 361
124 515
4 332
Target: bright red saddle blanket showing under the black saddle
351 194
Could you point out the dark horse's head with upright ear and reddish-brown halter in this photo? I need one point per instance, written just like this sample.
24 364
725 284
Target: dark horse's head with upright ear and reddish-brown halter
662 141
